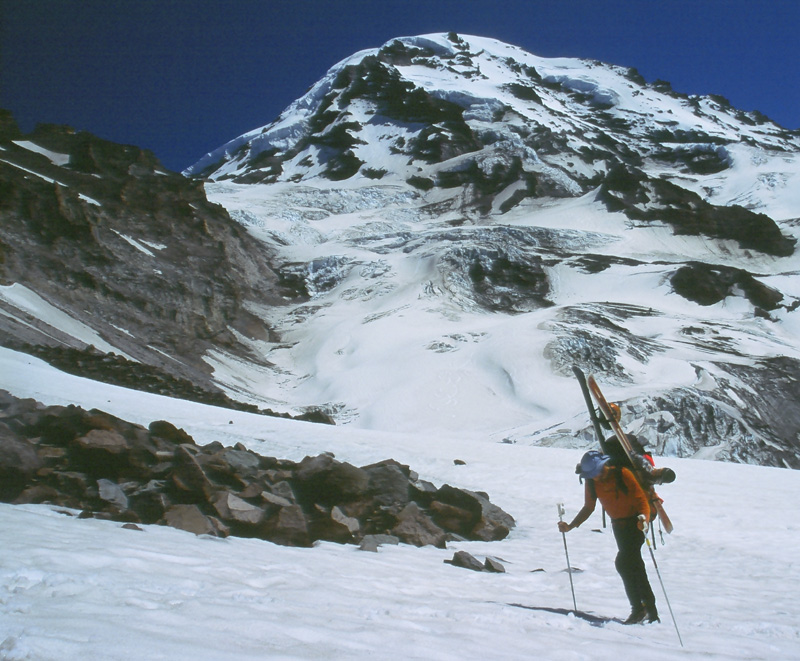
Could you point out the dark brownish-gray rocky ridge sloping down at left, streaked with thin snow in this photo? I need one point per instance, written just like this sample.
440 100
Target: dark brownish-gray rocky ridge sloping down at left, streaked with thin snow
106 228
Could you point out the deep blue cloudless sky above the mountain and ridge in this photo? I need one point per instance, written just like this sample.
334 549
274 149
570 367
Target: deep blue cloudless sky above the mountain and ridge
182 77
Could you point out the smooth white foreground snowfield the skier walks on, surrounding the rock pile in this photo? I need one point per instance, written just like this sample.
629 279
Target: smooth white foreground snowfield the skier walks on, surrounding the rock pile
88 589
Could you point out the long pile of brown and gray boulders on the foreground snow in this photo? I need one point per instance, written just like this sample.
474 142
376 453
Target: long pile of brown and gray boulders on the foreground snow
108 468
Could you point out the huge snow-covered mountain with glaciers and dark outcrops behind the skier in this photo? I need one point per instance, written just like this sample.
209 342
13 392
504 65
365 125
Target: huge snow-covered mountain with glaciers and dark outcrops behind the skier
448 223
